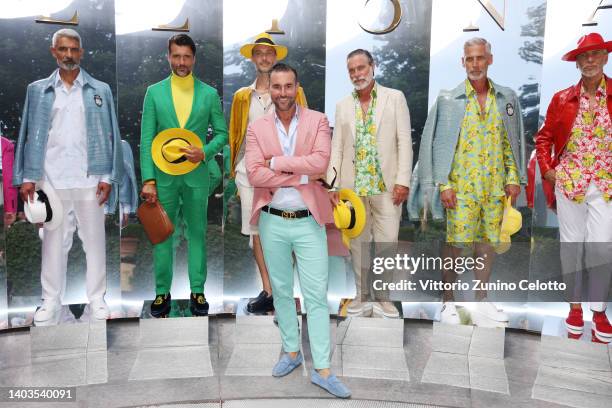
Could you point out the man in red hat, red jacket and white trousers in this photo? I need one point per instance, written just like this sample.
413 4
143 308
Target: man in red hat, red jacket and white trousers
578 129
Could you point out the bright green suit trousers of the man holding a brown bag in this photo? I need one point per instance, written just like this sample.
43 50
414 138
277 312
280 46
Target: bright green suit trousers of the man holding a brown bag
192 204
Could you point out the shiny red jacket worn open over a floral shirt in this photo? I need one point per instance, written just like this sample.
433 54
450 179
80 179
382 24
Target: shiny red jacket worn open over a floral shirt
557 127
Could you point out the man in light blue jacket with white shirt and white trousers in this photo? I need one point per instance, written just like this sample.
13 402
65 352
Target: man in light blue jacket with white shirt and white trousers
69 138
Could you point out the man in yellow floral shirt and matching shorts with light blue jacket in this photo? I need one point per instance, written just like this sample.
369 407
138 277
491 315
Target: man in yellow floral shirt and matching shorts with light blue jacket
472 154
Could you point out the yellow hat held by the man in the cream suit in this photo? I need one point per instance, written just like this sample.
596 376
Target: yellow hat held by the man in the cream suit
349 215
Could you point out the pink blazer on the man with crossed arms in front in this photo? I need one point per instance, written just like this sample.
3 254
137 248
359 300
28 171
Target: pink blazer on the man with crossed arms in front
311 157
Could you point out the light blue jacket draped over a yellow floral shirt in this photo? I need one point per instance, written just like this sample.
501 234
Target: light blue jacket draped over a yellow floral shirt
439 141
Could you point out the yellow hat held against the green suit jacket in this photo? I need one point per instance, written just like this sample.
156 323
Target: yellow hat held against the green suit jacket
167 154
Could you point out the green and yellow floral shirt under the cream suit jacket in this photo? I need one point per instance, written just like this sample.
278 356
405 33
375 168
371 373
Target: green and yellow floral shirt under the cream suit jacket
368 174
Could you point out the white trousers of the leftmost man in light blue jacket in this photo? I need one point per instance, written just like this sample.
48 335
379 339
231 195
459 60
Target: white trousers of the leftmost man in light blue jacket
81 211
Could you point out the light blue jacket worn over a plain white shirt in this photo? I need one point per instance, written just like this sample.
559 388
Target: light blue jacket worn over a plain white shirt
103 140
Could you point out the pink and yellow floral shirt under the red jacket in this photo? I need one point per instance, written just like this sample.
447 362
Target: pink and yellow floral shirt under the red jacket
588 154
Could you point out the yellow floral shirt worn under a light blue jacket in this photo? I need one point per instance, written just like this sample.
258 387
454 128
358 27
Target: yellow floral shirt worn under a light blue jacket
483 164
